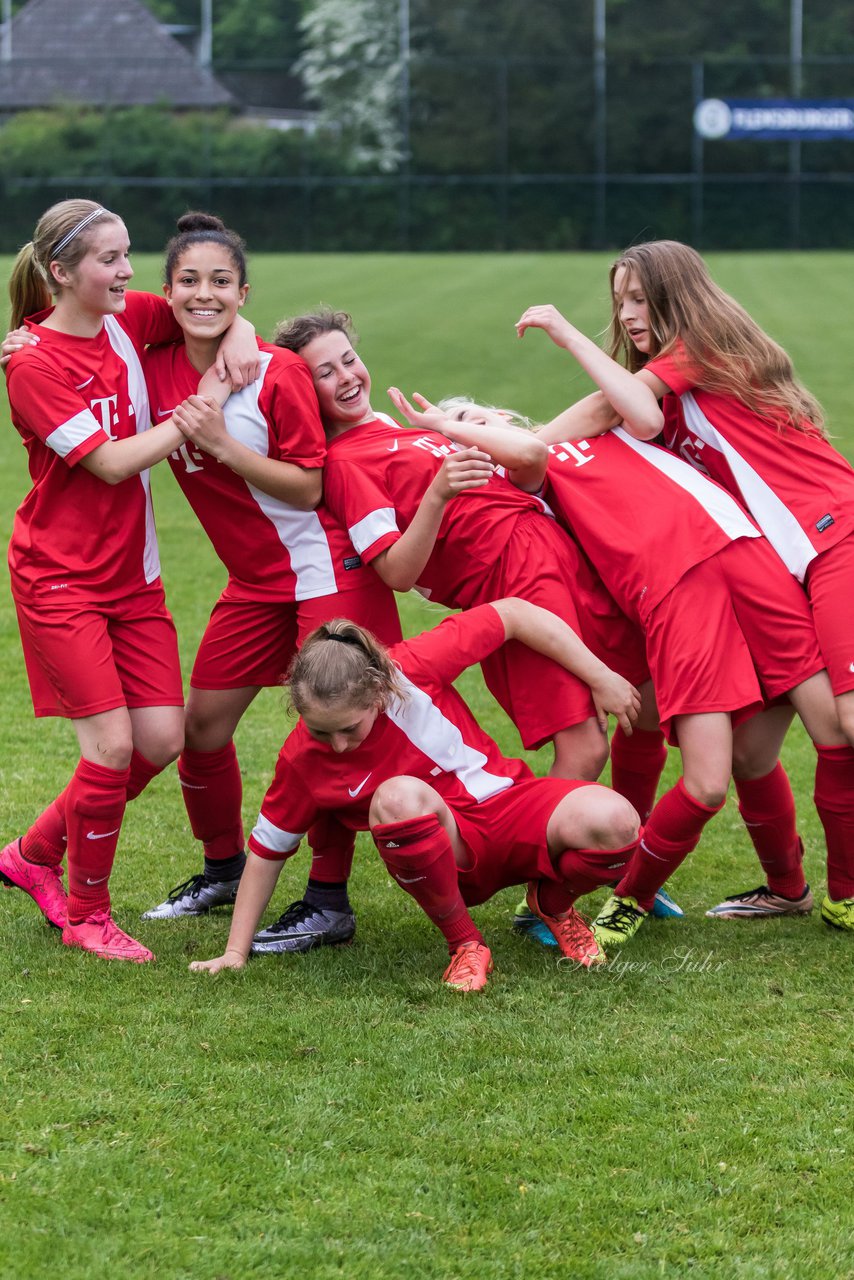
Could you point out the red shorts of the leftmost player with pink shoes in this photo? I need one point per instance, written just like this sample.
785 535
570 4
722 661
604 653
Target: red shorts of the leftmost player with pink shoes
89 659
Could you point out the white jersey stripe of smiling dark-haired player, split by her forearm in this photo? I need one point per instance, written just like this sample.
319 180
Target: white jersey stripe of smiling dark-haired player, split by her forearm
300 532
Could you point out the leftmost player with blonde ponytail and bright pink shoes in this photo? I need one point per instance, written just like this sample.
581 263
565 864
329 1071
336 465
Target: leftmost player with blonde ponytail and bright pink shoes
99 643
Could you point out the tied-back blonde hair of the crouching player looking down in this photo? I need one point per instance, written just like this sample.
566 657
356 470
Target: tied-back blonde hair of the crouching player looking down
342 662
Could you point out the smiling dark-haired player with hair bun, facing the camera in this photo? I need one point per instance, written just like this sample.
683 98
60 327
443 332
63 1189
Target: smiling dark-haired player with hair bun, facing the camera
253 474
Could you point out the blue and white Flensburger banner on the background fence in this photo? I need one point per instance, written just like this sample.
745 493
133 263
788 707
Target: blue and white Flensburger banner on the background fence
775 118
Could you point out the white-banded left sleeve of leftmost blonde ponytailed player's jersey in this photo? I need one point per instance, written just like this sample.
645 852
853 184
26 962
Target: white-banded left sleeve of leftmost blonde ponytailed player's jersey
52 409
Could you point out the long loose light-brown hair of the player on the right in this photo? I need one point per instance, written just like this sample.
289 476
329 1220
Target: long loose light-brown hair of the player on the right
734 355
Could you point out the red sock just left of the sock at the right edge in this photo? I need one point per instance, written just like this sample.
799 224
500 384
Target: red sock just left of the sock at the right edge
768 810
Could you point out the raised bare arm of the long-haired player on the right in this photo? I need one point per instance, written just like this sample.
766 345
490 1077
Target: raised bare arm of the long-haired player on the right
629 395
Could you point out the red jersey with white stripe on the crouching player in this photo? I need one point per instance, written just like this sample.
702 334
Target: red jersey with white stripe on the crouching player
428 734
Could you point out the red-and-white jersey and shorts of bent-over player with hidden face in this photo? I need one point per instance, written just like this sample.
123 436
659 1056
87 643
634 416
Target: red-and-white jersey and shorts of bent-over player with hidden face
724 623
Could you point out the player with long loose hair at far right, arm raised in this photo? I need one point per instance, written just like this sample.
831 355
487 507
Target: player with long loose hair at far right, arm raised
661 323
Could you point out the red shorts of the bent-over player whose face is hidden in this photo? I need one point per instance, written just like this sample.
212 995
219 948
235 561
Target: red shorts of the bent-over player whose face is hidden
734 633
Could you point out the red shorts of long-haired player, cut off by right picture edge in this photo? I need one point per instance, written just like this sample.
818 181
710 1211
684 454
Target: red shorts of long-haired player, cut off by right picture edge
830 587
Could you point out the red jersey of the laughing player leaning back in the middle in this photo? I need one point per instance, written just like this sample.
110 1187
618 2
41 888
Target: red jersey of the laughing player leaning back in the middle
376 478
